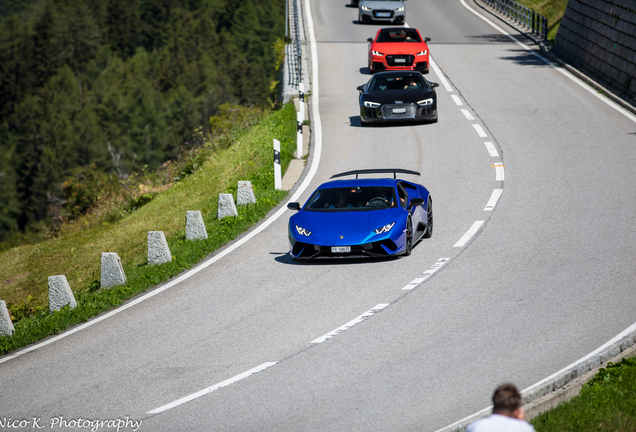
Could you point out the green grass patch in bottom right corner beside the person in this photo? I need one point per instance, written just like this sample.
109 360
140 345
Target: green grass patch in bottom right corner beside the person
607 403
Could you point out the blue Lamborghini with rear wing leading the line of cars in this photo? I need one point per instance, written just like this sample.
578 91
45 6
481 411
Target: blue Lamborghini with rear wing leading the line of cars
357 218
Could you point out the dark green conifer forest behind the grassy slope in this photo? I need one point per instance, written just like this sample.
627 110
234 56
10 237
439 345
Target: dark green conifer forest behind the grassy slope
111 87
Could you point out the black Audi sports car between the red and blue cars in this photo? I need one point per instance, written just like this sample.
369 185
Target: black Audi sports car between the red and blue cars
398 96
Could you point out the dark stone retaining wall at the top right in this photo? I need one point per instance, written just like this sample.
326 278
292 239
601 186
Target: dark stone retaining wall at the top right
599 36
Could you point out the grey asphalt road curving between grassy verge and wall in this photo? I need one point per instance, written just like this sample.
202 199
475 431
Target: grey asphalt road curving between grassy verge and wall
547 278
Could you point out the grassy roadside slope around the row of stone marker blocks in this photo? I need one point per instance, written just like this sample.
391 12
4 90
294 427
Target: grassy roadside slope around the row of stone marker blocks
77 253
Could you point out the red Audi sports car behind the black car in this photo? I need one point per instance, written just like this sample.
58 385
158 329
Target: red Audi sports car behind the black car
398 48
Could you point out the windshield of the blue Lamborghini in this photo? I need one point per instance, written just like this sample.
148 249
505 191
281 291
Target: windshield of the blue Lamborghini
352 199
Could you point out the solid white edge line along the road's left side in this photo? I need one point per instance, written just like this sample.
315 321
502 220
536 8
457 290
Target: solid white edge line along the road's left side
316 121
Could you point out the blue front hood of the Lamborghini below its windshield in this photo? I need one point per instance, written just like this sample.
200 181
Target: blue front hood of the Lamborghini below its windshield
352 223
